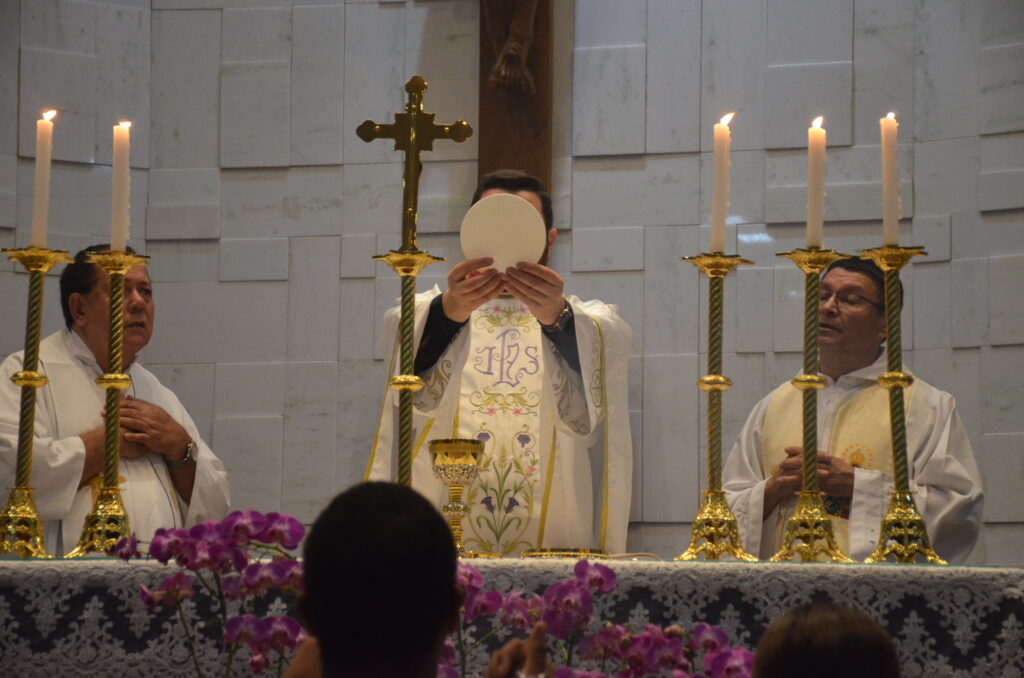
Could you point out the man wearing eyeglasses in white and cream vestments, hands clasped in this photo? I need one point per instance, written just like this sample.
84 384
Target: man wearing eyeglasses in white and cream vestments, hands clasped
763 474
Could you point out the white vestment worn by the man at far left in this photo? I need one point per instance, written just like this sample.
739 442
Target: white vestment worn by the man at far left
72 404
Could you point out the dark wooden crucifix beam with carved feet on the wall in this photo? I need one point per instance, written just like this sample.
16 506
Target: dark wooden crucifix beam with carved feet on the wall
517 59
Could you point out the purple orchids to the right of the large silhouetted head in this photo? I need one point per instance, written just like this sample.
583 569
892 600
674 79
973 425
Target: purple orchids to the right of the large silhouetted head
584 648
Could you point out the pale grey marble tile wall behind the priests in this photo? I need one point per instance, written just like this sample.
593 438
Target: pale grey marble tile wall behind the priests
262 208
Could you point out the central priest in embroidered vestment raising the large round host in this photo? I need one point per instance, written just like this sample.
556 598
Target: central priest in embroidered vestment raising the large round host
541 379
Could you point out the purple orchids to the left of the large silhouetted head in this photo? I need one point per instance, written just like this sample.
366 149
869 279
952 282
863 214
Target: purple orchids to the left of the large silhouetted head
235 562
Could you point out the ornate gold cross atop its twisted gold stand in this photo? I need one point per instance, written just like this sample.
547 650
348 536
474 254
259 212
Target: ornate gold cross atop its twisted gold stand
413 132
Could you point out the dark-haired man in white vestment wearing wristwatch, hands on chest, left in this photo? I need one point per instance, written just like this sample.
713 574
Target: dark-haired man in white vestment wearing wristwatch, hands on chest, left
167 475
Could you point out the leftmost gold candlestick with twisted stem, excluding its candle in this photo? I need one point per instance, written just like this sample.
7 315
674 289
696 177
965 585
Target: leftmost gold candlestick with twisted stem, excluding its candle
21 529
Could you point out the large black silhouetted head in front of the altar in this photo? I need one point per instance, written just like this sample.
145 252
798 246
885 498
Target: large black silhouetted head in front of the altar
377 556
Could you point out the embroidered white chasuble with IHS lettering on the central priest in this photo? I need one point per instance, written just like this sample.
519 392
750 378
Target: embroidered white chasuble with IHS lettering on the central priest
503 384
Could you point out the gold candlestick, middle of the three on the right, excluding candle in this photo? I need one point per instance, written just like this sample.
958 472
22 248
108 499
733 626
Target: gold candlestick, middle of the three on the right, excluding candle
810 525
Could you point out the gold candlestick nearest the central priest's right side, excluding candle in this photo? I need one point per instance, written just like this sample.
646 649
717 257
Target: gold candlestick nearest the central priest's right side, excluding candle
715 530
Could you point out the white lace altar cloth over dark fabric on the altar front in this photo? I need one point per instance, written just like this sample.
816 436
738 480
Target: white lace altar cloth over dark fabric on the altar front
86 618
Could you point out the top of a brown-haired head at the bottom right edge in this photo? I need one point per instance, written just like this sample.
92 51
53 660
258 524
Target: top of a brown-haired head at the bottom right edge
826 639
